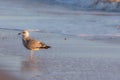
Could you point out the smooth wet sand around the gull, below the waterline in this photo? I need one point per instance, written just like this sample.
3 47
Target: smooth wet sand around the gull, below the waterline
70 58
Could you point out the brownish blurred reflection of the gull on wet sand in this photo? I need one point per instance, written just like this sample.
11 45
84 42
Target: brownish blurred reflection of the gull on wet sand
30 67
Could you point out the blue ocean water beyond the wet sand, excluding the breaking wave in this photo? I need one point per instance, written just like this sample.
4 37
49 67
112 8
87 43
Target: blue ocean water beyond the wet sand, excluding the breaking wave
51 17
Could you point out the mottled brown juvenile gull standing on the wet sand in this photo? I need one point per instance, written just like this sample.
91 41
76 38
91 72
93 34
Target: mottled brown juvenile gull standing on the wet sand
32 44
